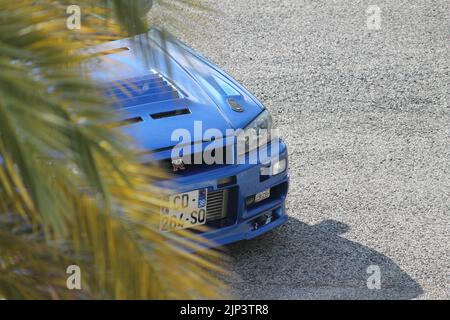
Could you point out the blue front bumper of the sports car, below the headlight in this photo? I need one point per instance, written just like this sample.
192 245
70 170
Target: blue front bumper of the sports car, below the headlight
241 181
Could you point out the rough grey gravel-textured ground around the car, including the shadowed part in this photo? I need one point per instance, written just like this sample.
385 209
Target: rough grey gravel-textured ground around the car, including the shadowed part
365 114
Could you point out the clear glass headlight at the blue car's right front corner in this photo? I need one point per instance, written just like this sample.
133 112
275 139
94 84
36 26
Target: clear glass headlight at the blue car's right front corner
256 134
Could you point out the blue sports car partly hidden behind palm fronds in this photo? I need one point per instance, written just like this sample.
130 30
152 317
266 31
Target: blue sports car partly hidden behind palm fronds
228 169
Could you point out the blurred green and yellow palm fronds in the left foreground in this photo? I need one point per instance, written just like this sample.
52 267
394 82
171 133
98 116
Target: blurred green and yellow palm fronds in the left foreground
72 190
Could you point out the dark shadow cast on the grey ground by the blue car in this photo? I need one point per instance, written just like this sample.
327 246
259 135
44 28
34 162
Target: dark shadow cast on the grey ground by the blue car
300 261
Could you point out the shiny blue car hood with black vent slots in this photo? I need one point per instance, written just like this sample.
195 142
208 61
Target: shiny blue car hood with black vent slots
170 88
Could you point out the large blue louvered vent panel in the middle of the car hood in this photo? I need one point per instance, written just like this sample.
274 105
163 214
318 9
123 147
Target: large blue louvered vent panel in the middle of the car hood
136 91
